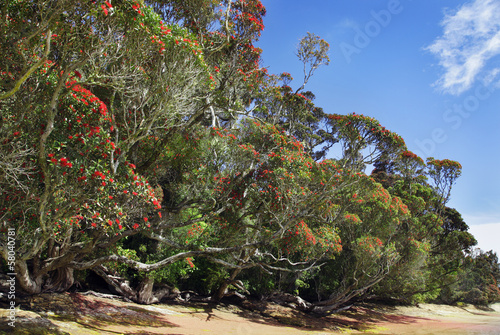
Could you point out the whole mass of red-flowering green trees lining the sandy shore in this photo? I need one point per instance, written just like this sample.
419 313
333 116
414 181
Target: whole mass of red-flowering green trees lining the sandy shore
144 142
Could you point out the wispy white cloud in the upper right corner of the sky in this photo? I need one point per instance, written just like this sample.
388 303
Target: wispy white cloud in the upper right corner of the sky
470 39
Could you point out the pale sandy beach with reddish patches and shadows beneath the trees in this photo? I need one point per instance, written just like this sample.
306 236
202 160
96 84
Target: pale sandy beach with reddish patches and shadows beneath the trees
77 314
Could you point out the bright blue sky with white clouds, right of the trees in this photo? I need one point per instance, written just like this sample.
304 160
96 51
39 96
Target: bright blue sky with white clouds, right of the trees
428 70
